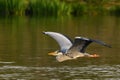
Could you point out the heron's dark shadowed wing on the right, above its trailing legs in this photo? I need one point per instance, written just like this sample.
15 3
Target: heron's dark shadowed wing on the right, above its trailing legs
80 44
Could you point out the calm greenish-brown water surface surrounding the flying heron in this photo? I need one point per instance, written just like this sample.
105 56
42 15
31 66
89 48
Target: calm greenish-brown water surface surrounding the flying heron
23 48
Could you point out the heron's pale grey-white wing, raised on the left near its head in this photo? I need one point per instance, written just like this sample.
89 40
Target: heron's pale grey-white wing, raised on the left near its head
64 42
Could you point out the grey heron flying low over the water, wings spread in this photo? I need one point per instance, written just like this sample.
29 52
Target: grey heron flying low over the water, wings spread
72 50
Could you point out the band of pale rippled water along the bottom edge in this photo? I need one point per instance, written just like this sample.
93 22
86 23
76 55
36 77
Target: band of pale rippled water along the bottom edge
104 72
